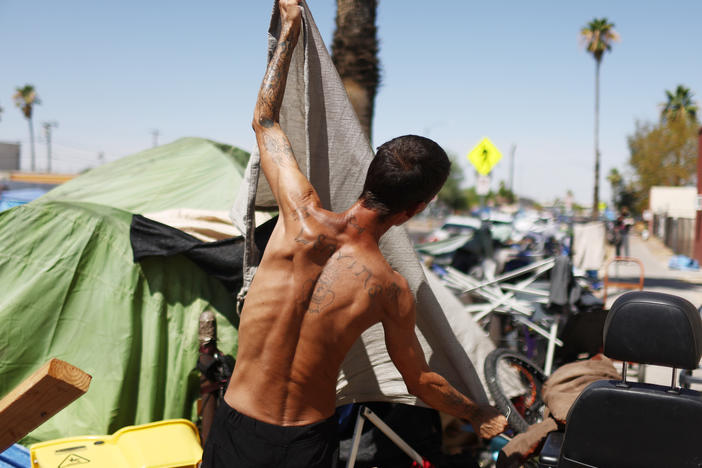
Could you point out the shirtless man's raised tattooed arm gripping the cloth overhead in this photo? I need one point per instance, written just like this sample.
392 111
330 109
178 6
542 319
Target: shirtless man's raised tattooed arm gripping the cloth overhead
290 187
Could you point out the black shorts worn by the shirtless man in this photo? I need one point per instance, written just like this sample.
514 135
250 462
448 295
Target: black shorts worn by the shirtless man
239 441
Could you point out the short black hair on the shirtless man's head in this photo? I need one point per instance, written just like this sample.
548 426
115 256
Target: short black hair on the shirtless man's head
406 171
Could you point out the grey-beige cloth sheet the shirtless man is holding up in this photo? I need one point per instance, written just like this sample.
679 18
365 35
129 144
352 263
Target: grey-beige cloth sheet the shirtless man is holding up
334 153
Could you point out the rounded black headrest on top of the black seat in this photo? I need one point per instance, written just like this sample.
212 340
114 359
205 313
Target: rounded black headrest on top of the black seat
654 328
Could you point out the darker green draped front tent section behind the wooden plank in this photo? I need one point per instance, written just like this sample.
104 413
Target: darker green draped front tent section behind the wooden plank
72 291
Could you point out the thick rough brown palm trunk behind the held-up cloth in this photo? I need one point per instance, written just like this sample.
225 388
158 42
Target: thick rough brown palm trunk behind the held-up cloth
355 55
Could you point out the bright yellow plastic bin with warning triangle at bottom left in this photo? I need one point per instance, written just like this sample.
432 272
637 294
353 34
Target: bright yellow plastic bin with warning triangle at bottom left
170 443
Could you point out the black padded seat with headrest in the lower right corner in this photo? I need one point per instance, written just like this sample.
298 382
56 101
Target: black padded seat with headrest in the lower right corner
623 424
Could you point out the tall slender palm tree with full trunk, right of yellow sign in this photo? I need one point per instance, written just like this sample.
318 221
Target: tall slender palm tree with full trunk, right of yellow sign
598 37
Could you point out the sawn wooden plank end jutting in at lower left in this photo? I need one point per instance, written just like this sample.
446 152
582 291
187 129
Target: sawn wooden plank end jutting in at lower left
40 396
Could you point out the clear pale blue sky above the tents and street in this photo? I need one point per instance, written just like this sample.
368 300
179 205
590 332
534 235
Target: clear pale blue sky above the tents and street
456 71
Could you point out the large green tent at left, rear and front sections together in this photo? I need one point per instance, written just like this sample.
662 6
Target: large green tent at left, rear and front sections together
72 291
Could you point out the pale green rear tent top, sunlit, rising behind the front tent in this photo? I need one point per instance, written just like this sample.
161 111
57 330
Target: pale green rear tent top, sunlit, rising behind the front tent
188 173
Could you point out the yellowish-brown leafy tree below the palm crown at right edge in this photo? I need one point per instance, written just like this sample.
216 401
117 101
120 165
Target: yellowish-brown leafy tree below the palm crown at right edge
663 154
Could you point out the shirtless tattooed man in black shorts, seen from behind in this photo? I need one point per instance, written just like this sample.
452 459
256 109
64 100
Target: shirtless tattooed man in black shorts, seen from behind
321 282
